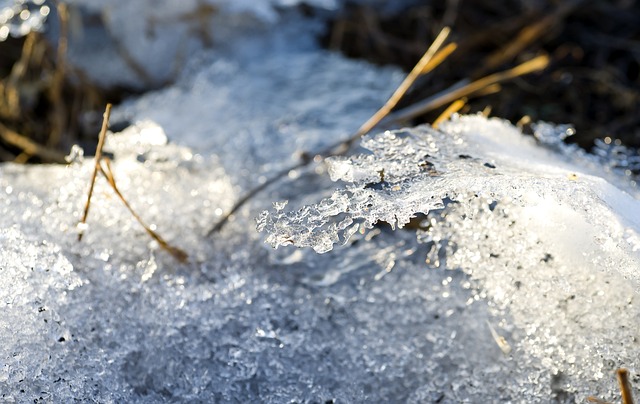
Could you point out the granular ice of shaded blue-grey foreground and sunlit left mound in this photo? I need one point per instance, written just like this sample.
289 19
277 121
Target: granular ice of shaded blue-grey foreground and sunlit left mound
114 319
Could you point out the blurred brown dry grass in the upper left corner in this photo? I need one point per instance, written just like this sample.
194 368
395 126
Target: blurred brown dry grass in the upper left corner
46 105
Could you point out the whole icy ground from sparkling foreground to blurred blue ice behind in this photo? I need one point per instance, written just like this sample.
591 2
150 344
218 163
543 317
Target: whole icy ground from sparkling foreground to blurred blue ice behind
525 289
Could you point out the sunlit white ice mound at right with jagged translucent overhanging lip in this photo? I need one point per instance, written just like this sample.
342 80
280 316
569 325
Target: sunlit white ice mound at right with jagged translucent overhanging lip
552 243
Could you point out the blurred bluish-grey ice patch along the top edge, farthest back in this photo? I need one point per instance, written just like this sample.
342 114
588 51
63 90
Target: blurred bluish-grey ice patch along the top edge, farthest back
139 45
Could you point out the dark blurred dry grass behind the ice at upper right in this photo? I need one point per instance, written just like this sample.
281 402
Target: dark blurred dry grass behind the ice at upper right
593 80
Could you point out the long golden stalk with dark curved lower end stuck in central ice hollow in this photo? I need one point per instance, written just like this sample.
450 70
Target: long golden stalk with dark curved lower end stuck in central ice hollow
431 59
